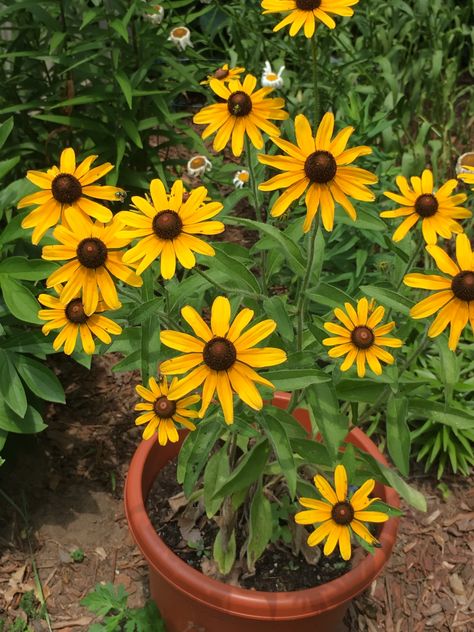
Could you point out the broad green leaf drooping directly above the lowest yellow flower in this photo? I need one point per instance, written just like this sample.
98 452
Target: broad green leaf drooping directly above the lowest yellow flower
323 406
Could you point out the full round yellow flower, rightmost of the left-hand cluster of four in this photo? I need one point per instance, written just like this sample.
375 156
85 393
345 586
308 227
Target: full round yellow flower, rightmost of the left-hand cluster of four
168 225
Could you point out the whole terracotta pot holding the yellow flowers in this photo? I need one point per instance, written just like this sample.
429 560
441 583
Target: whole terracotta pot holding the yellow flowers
191 602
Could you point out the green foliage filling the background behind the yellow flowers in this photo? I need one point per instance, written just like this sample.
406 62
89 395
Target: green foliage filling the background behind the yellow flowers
96 75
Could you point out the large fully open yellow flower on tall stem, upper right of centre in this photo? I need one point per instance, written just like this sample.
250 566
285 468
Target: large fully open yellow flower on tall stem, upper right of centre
319 166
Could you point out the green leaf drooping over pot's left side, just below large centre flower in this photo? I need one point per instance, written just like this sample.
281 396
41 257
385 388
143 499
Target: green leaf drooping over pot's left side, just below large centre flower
192 460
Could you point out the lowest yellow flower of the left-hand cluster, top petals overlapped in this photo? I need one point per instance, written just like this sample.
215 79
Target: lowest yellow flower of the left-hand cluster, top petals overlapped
74 323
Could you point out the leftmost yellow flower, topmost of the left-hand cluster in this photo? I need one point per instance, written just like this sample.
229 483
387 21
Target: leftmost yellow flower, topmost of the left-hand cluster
67 186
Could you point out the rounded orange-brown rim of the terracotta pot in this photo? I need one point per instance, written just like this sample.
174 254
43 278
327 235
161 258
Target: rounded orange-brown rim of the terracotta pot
241 601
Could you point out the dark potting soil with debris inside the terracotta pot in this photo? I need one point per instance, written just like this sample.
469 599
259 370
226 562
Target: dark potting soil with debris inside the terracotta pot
191 537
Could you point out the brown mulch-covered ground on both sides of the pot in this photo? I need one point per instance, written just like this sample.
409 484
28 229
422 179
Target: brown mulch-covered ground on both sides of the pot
68 484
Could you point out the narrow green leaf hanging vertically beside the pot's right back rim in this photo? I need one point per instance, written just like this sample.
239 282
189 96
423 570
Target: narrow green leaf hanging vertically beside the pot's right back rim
398 433
